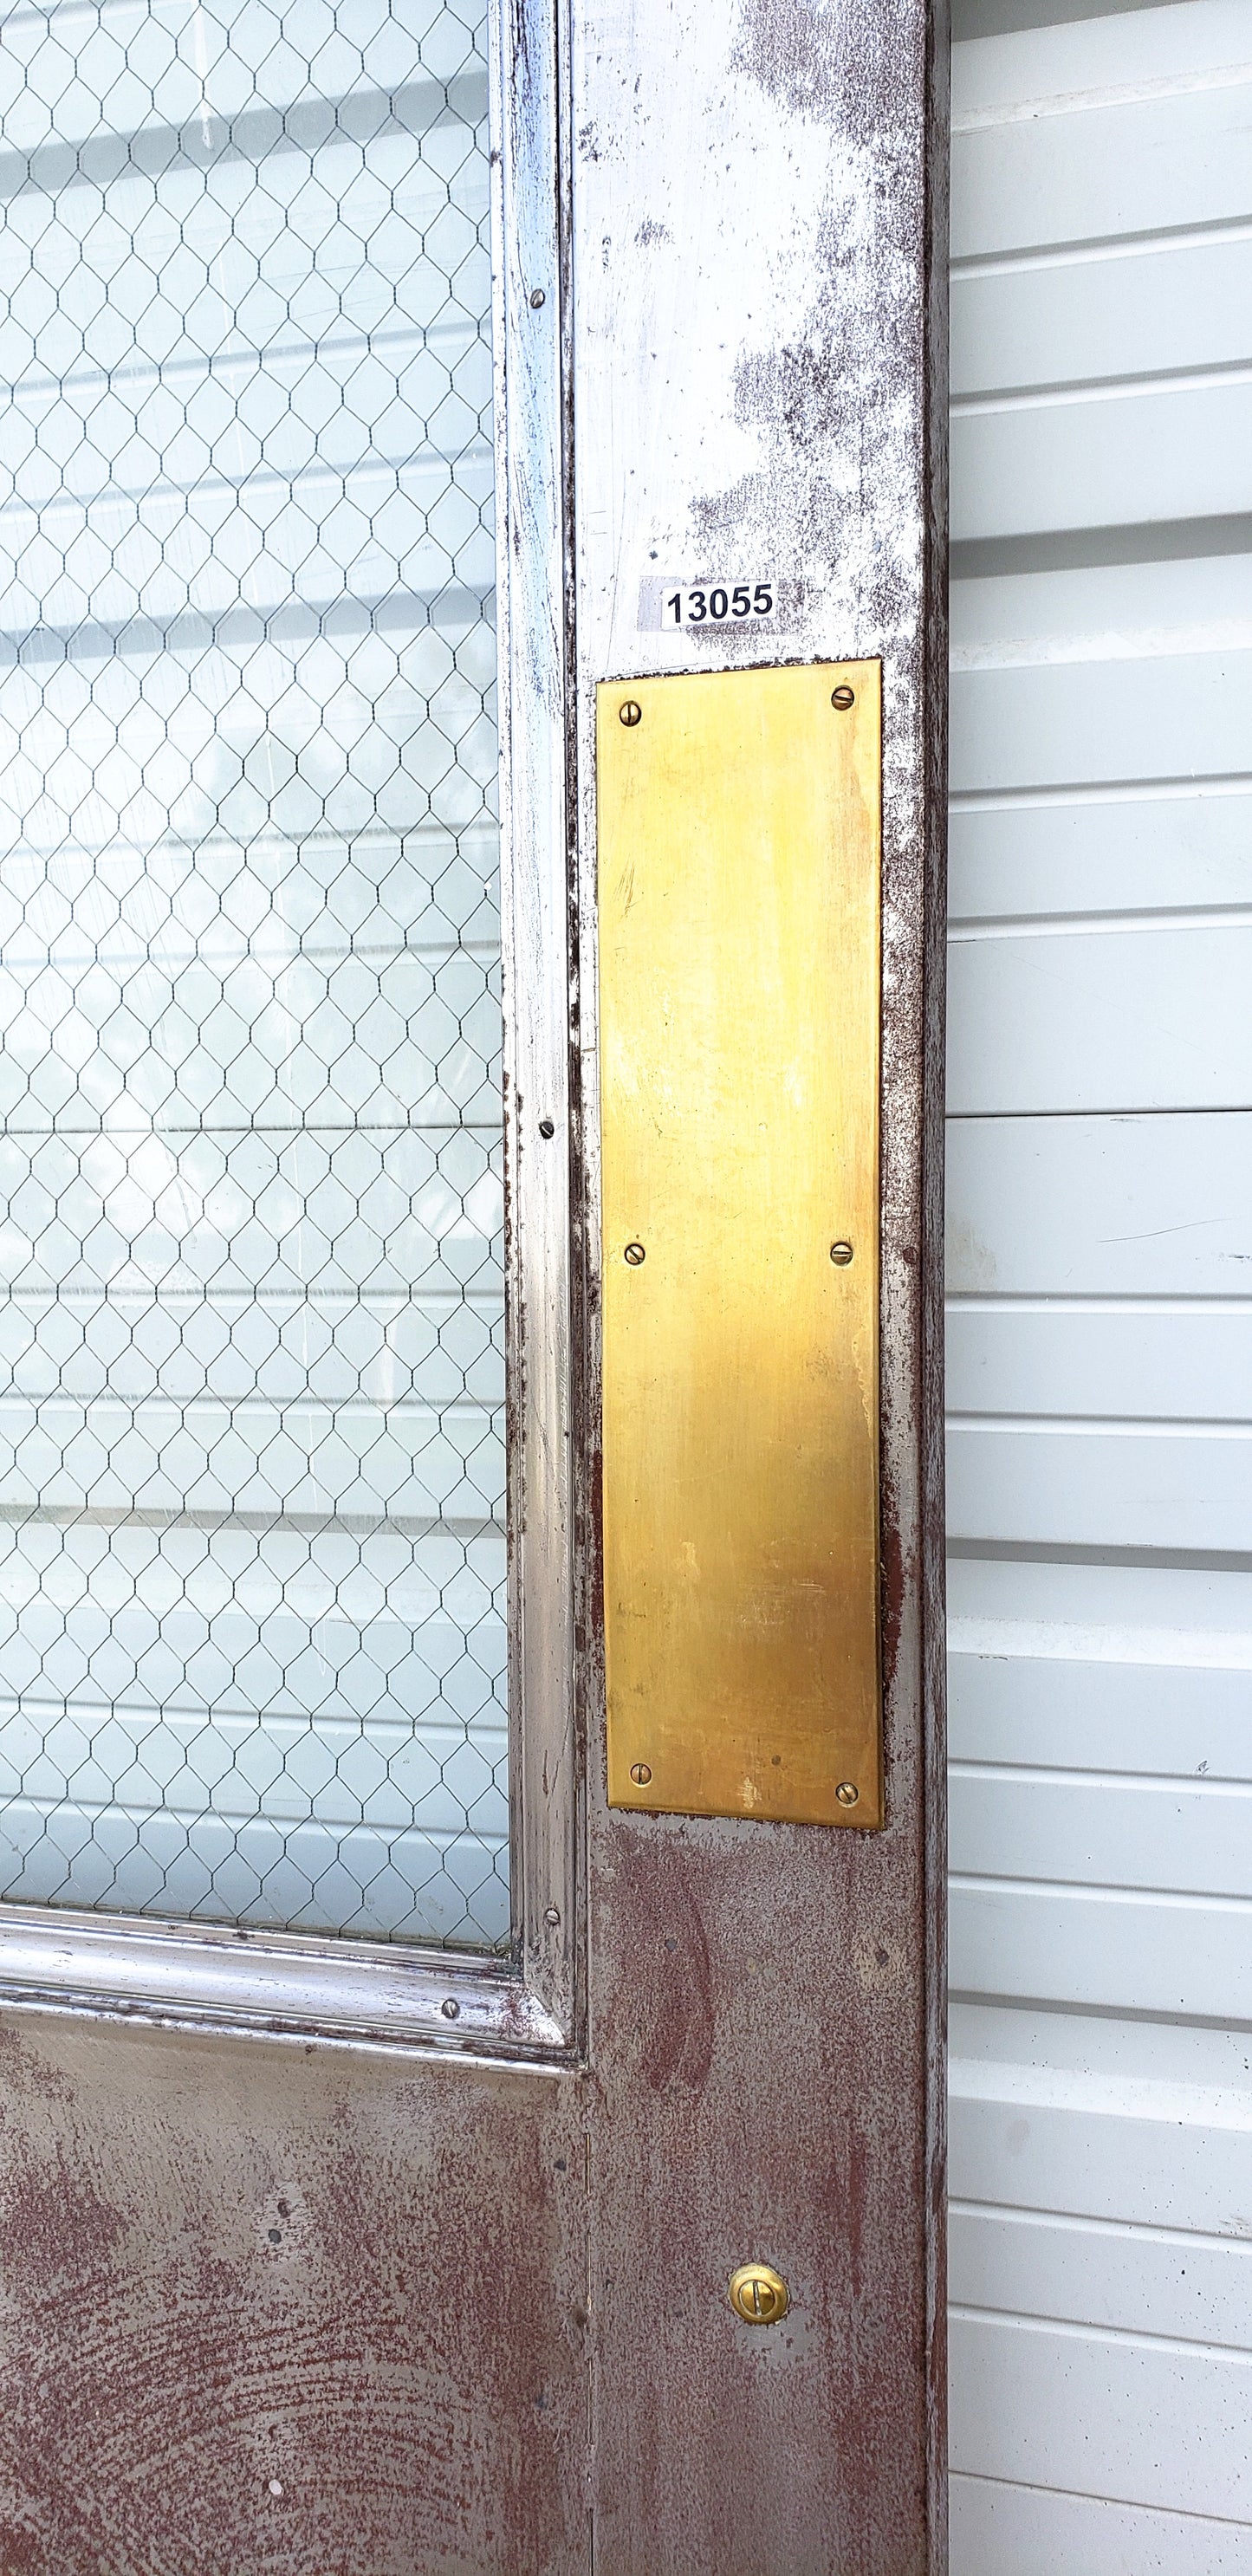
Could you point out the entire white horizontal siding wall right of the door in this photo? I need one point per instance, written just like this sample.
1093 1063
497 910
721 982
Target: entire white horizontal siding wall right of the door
1101 1282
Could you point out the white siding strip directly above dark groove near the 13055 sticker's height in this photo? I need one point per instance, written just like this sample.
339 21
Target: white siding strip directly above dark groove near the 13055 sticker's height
1104 462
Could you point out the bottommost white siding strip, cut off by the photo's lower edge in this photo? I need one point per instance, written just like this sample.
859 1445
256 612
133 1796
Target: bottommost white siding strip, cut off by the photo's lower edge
1034 2531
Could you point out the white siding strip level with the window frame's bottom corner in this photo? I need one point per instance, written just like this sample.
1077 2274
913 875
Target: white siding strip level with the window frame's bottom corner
1117 1954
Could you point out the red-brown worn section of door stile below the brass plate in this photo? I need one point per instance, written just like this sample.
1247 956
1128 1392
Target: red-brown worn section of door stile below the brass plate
802 2150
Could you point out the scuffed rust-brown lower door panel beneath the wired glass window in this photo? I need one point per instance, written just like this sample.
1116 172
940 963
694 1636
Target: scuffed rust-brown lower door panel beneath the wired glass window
280 2312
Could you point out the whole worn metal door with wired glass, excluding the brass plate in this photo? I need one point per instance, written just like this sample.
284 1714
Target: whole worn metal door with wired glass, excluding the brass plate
377 2147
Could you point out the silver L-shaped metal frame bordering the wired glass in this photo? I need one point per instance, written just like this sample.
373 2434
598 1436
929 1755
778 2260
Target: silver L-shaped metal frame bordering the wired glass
393 1995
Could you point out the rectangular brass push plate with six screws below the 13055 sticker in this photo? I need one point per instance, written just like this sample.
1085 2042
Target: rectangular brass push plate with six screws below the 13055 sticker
741 1001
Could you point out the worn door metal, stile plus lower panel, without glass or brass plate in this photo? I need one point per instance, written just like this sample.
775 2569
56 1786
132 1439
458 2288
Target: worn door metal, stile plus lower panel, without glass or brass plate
303 2312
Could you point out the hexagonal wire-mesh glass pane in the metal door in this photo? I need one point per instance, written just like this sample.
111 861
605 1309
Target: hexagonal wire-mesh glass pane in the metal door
251 1194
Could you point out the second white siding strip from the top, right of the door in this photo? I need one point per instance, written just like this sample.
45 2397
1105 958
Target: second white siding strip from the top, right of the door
1104 171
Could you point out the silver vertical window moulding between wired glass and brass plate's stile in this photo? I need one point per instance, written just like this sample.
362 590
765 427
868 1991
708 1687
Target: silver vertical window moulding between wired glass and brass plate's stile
532 321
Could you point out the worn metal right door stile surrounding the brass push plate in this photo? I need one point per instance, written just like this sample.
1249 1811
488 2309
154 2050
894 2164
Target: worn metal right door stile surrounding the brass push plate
759 344
